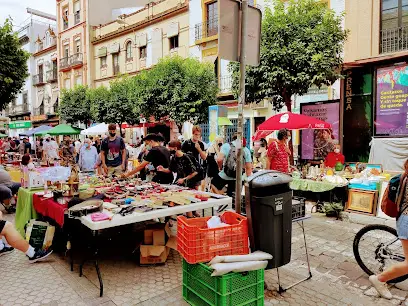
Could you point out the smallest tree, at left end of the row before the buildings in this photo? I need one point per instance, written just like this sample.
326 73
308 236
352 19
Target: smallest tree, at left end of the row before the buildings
75 105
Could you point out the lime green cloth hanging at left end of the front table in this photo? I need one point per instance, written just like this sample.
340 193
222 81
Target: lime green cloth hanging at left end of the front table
25 210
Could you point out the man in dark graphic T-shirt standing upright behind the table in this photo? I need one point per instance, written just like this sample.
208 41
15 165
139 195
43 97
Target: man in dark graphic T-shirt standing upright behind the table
113 152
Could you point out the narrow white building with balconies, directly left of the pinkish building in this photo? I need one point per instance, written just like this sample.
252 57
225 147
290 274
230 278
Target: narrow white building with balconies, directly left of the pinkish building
45 80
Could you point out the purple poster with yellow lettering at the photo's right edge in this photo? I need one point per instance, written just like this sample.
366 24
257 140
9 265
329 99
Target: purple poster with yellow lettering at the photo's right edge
391 101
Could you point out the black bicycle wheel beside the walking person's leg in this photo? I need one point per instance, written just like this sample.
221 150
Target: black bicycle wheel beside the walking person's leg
376 248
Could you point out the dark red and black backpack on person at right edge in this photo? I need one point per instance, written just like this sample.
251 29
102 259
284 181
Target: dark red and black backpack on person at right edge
393 195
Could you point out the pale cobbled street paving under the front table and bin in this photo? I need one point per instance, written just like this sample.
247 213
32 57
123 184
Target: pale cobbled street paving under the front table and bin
337 279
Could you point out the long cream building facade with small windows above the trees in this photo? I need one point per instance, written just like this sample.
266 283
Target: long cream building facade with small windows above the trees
137 41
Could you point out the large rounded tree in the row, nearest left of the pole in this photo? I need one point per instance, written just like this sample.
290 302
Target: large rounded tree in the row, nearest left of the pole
179 88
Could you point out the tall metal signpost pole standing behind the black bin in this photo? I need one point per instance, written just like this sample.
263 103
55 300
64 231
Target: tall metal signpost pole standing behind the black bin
241 103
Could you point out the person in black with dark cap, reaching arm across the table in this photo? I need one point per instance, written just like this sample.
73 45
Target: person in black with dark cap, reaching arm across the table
158 157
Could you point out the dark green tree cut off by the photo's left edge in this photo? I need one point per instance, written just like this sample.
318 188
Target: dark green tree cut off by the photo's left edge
13 64
